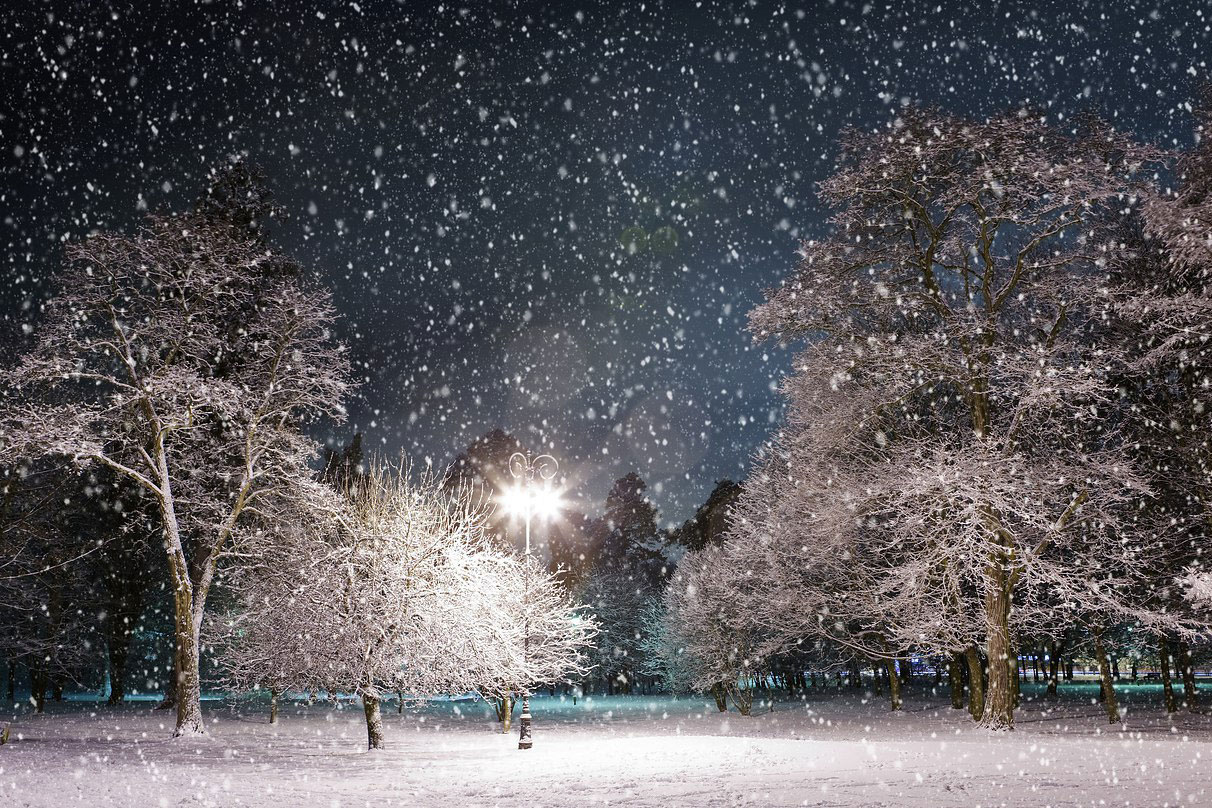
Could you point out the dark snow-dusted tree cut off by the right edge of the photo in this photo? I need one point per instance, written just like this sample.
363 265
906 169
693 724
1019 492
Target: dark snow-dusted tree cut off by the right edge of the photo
1164 266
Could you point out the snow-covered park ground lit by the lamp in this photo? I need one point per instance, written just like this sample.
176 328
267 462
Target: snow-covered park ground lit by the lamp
834 749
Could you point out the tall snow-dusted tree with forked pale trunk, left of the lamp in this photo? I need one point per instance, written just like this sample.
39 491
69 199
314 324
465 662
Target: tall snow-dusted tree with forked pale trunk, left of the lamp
184 358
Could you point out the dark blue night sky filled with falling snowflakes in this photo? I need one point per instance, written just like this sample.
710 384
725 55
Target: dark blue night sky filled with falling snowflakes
551 221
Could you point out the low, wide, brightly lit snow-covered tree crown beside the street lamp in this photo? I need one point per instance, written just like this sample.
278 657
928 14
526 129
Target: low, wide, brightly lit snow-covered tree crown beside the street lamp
396 587
